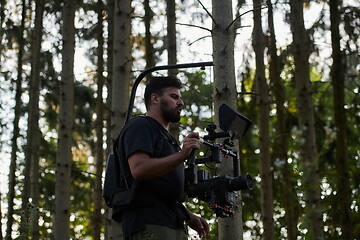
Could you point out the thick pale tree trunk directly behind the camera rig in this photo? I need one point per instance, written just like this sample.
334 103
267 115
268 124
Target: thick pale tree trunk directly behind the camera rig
225 92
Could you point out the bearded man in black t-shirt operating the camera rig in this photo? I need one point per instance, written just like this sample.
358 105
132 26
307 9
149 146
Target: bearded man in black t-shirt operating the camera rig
156 166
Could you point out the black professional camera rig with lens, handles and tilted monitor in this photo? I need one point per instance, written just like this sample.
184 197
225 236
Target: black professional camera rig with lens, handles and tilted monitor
219 191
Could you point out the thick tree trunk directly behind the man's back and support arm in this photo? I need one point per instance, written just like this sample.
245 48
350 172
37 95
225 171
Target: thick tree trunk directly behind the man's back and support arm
120 80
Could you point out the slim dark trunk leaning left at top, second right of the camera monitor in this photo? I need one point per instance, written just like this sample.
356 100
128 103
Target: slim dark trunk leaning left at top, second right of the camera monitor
281 149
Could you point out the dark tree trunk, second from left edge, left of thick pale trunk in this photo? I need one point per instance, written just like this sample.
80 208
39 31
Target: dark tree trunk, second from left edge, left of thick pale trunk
34 134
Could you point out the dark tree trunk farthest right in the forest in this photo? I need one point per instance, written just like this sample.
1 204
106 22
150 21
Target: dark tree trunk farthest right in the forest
342 161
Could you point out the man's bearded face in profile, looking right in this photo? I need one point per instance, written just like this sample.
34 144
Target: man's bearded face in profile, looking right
171 104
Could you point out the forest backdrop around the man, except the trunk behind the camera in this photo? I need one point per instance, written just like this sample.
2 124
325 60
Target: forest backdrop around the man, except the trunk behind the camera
66 71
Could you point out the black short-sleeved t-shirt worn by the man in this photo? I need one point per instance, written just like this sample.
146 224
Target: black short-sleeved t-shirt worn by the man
155 200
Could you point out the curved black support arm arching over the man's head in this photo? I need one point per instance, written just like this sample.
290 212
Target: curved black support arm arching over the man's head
202 65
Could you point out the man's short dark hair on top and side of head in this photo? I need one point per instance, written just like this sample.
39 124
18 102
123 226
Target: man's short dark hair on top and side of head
157 85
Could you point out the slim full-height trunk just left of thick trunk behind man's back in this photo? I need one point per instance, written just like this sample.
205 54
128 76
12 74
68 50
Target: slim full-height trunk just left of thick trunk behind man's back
99 152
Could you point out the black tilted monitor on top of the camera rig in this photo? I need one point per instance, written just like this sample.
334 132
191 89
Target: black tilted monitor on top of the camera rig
232 120
